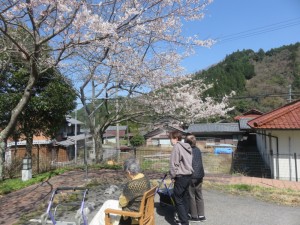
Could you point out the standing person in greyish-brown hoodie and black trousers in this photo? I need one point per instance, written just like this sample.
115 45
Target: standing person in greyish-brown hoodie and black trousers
181 171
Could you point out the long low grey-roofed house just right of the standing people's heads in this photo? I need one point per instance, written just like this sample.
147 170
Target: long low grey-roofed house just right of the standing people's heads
211 134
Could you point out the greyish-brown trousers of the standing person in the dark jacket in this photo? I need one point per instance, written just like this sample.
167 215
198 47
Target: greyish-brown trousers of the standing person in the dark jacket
196 198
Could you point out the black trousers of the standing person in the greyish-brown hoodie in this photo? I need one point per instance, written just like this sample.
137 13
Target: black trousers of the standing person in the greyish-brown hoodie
181 197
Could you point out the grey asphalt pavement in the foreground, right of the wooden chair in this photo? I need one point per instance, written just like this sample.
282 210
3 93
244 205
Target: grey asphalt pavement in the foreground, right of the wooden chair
226 209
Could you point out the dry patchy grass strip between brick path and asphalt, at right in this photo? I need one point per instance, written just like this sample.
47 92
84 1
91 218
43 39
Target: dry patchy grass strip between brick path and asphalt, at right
278 196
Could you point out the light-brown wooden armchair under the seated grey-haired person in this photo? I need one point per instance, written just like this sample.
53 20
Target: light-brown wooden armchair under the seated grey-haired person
145 215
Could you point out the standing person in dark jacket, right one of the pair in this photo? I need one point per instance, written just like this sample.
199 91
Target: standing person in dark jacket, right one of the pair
195 188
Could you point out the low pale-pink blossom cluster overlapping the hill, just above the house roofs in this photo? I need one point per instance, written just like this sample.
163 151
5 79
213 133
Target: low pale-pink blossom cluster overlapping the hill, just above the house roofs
185 101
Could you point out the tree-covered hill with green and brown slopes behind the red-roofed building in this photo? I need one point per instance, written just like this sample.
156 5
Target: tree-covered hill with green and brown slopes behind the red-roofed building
261 79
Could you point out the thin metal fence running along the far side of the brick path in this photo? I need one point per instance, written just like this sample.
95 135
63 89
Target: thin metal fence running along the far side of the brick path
281 166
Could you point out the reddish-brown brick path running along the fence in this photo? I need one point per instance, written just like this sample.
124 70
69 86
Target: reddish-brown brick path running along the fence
18 203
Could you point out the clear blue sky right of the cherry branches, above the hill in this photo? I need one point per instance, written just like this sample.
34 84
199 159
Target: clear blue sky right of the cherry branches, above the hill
243 24
